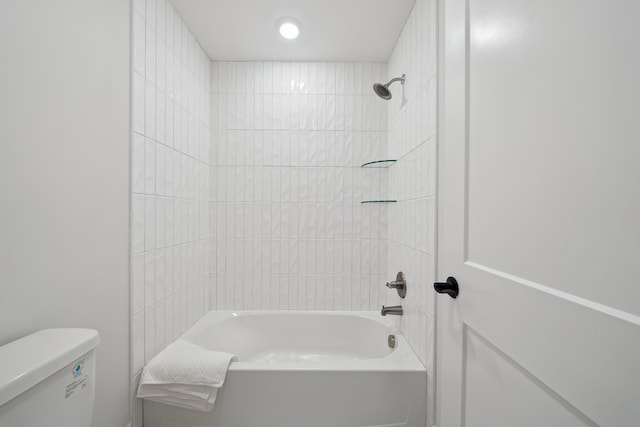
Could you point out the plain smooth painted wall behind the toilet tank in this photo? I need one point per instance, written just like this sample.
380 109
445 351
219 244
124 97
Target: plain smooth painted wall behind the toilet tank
64 179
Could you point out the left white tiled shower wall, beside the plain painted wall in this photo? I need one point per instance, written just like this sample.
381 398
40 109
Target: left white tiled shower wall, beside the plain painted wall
170 182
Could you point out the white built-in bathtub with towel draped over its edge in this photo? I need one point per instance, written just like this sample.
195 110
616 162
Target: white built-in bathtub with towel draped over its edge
305 369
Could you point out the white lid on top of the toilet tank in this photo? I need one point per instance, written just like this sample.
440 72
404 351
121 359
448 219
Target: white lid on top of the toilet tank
29 360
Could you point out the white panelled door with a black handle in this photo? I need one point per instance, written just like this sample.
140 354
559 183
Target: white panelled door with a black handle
539 217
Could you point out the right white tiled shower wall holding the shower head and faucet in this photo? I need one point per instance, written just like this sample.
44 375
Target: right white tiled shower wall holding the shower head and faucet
412 180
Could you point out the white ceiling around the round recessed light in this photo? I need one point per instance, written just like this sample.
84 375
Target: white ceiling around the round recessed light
332 30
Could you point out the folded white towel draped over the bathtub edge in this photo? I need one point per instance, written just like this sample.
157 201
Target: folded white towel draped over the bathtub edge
186 375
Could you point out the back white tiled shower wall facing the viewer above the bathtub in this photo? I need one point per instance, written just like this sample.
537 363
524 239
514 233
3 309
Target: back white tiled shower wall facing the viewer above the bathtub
288 140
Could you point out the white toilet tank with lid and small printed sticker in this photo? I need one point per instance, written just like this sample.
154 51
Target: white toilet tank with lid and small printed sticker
48 379
